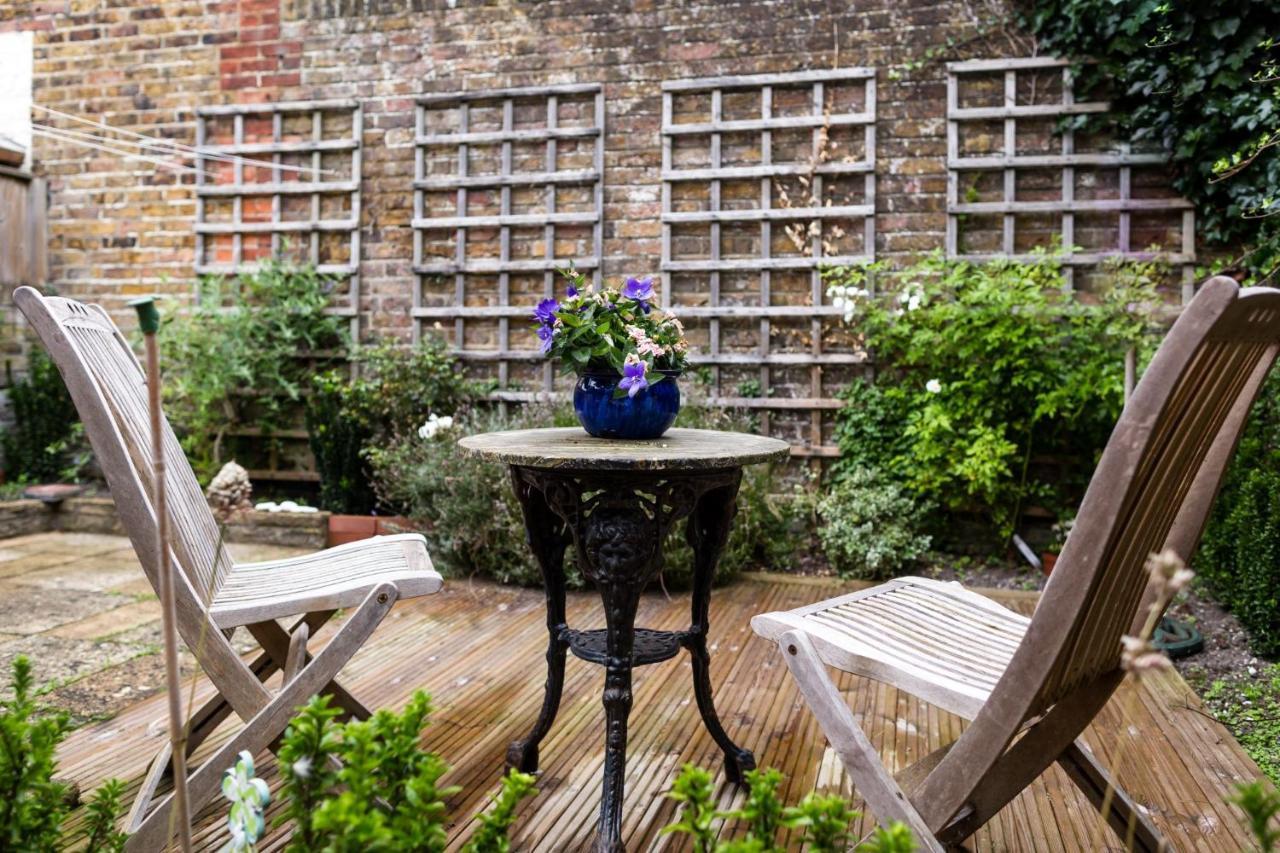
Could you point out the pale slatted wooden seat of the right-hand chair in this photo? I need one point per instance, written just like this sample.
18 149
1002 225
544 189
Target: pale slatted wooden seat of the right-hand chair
936 640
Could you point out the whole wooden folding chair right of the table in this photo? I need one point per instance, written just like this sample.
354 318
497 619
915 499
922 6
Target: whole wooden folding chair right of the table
1032 686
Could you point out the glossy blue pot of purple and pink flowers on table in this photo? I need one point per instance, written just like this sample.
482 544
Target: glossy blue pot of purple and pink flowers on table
627 354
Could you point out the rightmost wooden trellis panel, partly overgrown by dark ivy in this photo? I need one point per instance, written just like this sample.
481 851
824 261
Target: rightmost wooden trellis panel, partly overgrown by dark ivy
1028 179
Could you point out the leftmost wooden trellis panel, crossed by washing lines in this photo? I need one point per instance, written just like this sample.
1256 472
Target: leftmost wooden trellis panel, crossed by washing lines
304 202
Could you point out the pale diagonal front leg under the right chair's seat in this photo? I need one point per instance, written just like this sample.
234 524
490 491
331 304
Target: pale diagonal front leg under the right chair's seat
872 781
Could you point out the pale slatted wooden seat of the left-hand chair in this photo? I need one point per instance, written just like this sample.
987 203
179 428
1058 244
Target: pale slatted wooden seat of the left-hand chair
330 580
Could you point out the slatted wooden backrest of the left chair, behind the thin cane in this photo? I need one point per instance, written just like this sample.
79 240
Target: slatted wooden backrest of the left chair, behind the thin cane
108 386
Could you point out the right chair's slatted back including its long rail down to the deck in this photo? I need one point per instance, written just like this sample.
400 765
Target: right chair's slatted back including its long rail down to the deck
1153 489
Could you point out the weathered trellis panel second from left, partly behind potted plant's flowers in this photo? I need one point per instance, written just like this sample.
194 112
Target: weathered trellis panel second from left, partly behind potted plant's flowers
509 188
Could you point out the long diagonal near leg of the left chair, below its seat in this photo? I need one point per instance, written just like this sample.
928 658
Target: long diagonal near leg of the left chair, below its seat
271 722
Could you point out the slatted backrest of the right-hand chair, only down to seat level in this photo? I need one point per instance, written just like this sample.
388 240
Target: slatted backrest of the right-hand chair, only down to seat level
1155 483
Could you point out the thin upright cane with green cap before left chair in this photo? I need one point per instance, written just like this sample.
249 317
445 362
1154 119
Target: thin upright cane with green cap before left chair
149 321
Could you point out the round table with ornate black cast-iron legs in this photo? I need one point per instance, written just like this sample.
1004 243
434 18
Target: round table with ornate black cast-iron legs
615 501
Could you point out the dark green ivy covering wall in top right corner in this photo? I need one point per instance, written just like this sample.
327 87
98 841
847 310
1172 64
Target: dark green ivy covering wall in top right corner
1205 81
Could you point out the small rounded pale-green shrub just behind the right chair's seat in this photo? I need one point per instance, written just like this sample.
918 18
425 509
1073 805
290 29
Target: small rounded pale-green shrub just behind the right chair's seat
871 526
